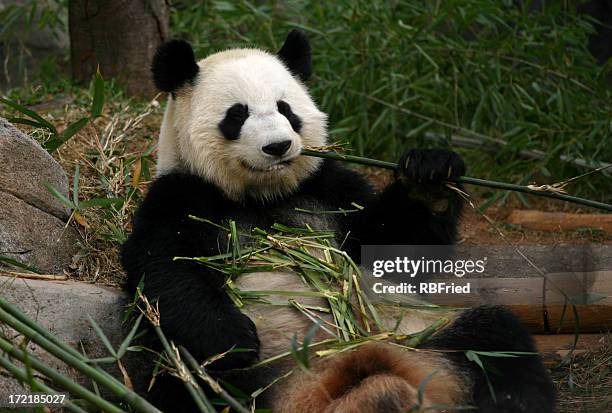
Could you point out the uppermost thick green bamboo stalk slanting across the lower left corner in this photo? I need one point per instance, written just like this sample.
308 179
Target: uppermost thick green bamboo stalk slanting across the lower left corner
60 350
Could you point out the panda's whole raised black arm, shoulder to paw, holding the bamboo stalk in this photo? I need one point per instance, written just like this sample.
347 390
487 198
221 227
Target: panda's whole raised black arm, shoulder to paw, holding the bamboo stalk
415 208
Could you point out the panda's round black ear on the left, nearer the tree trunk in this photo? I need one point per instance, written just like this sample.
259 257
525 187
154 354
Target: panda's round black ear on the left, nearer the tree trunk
174 65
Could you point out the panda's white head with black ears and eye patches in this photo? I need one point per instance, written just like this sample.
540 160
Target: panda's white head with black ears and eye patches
239 118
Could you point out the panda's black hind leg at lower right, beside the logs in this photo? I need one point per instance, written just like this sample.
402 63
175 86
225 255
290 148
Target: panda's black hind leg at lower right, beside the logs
520 384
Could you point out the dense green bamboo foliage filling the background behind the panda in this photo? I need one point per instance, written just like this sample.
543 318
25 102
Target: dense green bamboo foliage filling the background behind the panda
513 81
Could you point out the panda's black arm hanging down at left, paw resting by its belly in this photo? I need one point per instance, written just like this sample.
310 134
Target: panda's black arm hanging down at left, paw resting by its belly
195 310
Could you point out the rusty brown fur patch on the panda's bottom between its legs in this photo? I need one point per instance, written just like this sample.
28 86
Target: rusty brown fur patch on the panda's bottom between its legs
374 378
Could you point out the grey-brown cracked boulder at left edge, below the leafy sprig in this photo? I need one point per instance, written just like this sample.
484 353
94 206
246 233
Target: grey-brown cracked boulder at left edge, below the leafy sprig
32 221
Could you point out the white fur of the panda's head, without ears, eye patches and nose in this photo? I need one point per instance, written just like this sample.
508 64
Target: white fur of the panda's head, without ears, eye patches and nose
190 138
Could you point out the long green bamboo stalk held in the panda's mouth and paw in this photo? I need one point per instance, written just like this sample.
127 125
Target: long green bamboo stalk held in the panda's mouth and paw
463 179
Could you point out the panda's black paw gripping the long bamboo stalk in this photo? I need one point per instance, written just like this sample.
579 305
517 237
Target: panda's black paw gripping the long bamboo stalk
429 166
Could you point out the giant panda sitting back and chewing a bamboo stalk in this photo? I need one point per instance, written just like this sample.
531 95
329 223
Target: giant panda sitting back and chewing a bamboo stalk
229 148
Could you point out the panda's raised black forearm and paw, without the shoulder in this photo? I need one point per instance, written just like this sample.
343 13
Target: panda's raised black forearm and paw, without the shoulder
403 214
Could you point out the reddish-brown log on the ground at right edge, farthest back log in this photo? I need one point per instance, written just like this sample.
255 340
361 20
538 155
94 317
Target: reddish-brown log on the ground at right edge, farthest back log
555 221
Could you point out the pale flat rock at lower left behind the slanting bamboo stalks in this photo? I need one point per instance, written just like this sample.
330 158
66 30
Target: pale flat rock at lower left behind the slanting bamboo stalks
63 308
